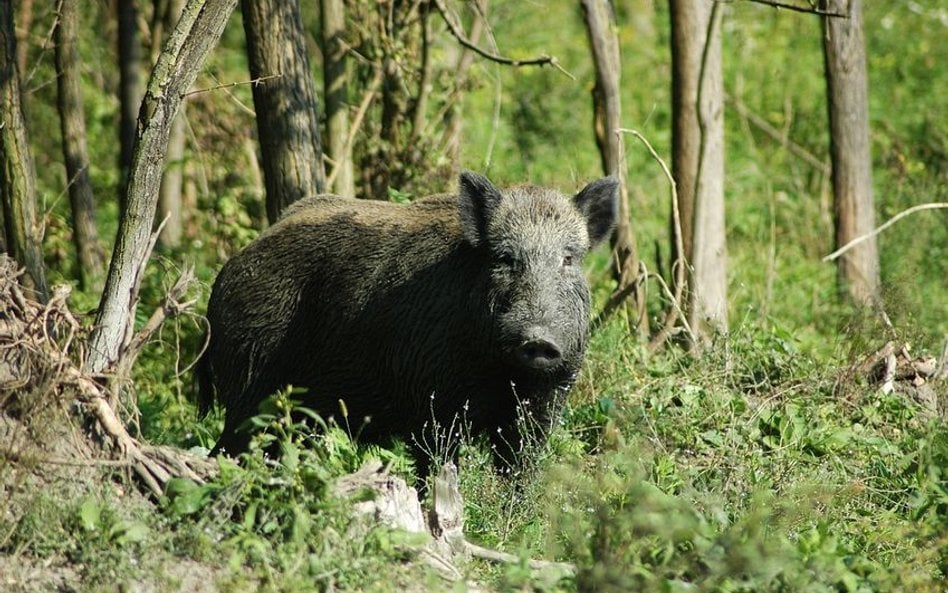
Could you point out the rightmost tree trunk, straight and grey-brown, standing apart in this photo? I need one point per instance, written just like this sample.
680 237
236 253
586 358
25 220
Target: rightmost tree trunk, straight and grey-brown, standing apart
847 99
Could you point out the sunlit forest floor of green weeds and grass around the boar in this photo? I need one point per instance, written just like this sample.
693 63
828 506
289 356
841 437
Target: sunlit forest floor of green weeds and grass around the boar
748 468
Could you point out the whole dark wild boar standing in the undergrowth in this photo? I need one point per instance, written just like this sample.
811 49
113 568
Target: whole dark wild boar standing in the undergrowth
454 310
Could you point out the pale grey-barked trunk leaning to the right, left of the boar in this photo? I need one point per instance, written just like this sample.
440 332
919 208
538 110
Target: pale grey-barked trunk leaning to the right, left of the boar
197 31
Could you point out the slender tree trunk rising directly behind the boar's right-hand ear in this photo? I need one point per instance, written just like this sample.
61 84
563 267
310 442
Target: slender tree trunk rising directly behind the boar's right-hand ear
601 29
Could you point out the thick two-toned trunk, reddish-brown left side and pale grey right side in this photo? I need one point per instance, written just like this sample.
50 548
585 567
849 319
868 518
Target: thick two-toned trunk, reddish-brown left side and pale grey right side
698 158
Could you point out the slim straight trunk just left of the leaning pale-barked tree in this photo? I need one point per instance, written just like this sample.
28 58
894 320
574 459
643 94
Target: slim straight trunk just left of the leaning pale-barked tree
89 258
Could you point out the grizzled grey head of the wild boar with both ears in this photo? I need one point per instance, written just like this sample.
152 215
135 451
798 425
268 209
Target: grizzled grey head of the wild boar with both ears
533 240
